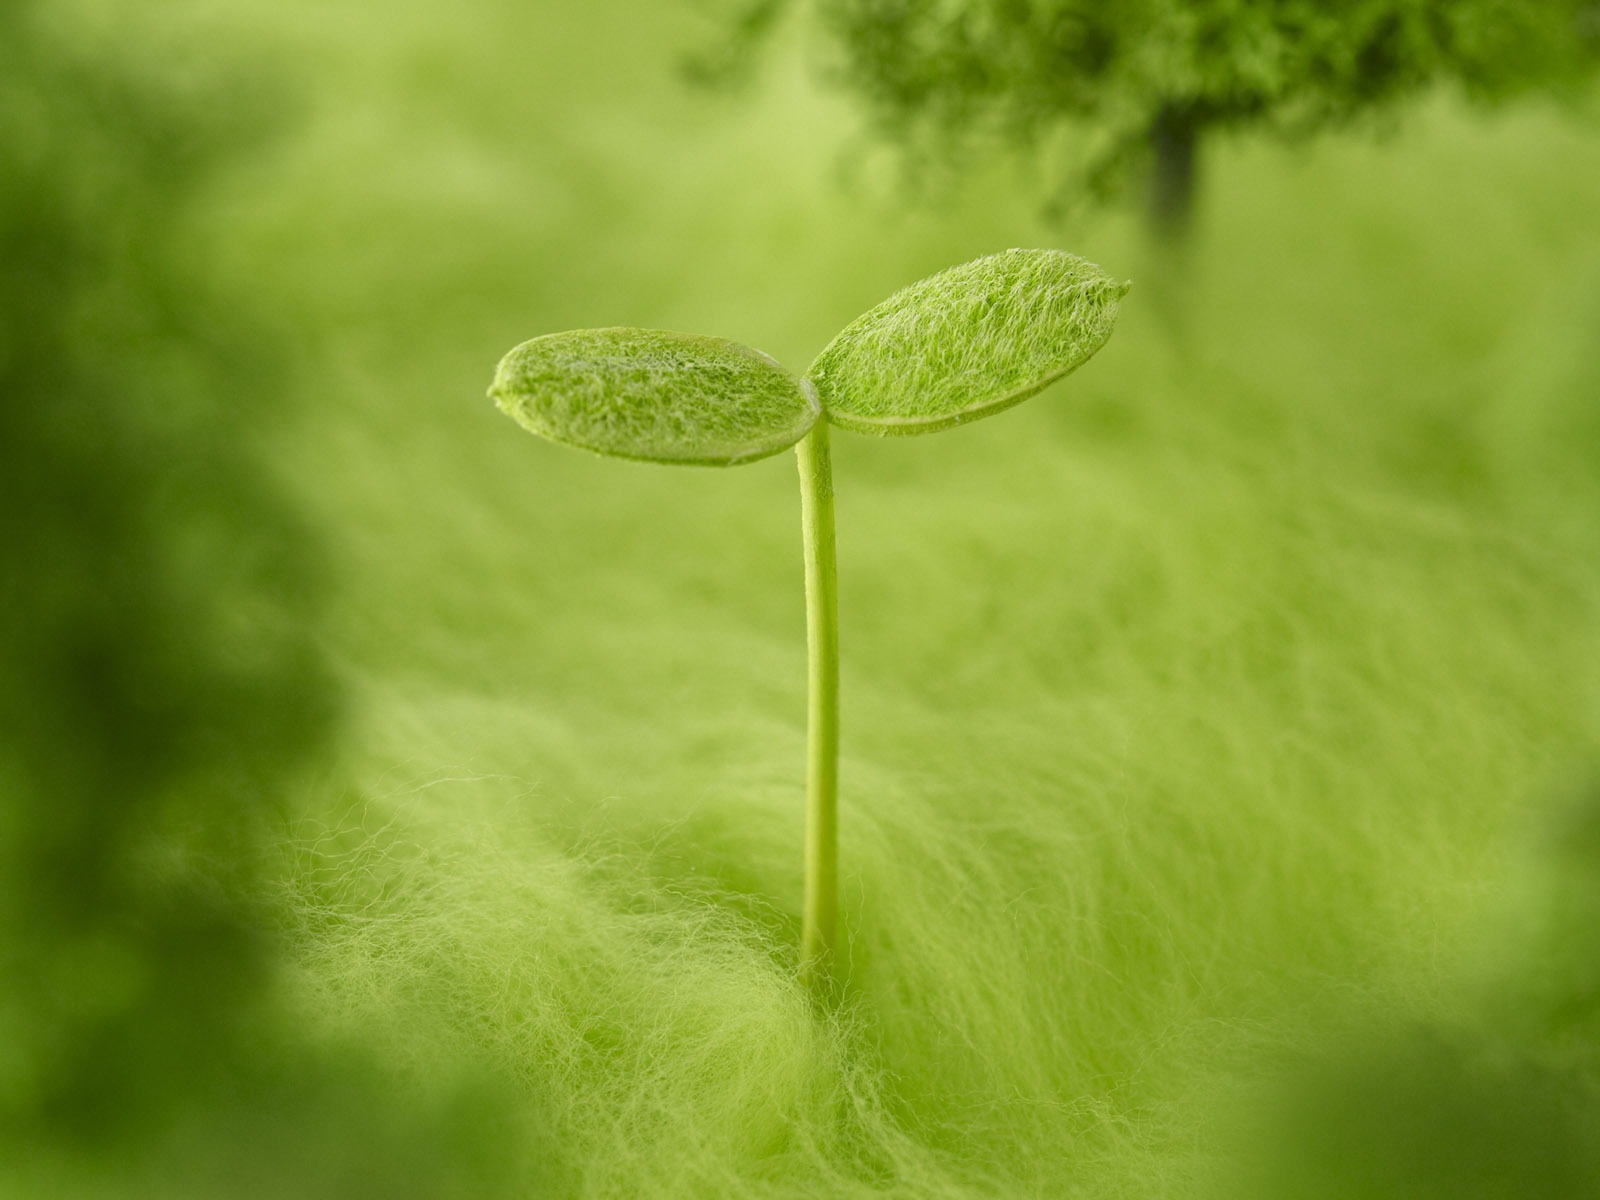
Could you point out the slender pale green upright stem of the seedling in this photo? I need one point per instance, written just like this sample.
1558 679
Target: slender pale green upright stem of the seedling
822 794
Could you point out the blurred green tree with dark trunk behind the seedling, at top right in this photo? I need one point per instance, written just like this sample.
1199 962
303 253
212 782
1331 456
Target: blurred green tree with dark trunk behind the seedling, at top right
1145 84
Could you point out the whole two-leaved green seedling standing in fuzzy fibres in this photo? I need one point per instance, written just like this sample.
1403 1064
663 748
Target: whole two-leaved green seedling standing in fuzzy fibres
950 350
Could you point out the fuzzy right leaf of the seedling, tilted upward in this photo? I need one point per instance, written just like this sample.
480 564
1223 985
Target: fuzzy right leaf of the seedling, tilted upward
966 343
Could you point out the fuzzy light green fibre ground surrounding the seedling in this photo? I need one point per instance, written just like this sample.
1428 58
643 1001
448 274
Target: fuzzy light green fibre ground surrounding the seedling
1198 713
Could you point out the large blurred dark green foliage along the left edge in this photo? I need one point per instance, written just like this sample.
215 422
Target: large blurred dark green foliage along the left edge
161 684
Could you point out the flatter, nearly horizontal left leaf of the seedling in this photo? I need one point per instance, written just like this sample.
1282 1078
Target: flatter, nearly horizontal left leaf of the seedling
655 396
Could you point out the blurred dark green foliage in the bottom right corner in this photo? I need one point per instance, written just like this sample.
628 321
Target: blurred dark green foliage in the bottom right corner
1508 1105
